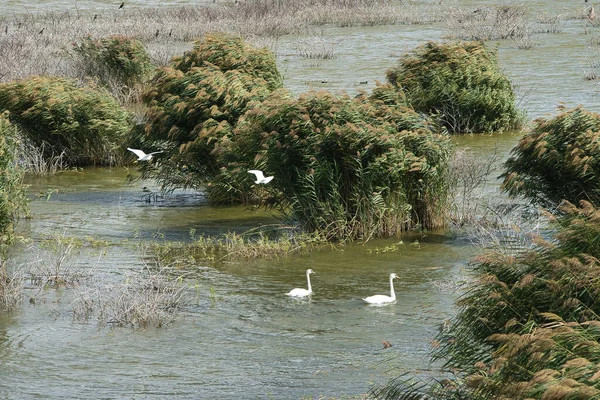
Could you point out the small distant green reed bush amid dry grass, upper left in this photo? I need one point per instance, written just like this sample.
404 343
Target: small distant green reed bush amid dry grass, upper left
120 63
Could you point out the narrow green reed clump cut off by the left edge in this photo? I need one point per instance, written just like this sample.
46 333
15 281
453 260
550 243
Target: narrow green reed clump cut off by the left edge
13 199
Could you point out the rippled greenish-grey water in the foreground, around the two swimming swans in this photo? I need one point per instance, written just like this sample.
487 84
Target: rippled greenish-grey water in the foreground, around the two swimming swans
241 337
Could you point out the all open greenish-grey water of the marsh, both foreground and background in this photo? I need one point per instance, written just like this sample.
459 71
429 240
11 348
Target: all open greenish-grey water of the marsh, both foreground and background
241 337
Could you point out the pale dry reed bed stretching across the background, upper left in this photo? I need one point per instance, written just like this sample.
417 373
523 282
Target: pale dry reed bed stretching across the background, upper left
42 44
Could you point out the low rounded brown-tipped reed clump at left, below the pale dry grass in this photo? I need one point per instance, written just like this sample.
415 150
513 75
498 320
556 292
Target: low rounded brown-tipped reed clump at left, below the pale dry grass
84 125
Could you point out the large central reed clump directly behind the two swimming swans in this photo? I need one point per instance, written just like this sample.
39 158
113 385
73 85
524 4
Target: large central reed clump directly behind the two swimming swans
352 168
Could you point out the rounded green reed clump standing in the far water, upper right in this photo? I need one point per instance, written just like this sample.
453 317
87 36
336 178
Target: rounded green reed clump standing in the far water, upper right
461 83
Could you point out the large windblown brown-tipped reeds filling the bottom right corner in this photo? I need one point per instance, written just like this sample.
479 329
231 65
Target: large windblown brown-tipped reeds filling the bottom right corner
530 327
